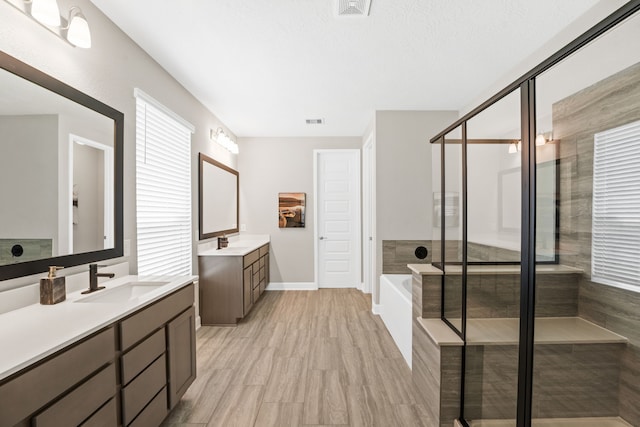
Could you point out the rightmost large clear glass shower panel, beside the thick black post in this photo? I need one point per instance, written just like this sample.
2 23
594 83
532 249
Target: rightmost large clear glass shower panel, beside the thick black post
587 329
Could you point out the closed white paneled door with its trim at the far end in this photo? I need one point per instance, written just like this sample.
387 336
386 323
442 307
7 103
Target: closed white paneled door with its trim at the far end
337 218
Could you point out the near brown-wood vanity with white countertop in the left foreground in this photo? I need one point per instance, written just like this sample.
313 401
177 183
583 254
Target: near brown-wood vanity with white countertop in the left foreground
121 356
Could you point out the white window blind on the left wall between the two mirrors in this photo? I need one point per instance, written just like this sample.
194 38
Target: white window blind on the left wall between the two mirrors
163 189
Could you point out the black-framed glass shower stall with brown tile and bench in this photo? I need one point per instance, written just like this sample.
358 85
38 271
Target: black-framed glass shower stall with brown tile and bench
537 236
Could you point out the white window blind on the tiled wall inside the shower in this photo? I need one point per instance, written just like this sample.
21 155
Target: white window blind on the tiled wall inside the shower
616 207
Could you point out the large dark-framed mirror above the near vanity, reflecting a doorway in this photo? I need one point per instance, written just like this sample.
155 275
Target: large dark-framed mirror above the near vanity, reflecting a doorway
61 174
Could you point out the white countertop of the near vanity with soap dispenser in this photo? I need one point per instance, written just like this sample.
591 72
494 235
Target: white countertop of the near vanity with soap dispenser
36 331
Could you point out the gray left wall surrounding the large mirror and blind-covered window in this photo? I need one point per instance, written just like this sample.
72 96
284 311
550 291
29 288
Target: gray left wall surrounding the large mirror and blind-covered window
109 72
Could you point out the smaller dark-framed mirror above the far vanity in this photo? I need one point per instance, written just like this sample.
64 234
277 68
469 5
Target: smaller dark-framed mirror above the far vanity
218 198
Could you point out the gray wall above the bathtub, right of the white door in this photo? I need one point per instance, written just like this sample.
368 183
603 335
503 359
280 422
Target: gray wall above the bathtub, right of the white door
403 175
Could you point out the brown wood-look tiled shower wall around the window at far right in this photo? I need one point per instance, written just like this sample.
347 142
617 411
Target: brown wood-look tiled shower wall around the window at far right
607 104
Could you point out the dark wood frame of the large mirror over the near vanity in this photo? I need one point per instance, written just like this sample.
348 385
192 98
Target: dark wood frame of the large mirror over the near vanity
11 271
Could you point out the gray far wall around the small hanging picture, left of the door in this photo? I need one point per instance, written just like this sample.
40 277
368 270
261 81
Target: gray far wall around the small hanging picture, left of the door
267 167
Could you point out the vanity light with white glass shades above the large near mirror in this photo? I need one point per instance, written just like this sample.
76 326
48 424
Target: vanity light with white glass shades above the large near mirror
74 29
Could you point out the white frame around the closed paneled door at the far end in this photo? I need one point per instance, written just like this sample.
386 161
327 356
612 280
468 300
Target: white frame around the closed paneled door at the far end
357 261
